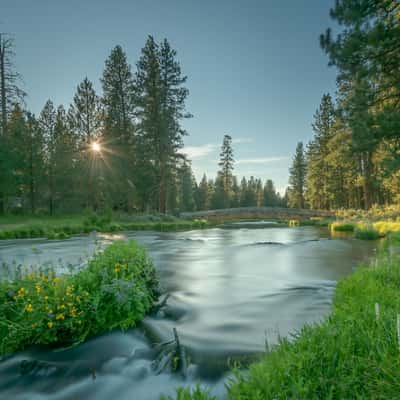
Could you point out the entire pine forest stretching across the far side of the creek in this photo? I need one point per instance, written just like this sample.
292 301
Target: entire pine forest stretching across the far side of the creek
123 149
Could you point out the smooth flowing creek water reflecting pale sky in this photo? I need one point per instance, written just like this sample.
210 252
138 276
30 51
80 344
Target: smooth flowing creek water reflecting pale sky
230 290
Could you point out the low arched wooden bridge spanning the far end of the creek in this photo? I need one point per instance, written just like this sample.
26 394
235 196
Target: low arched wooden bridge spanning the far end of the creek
258 213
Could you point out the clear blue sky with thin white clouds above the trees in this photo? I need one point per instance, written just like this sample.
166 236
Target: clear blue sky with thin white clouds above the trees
255 69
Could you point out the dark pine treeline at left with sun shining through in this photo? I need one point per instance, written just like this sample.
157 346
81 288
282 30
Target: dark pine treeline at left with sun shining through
119 150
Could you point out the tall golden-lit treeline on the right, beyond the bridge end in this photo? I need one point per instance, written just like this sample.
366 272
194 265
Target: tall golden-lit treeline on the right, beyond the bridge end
353 160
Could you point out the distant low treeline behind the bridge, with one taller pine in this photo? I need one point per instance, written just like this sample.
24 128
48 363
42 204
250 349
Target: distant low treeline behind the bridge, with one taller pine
225 191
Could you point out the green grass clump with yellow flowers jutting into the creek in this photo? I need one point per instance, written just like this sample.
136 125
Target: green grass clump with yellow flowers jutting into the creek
115 290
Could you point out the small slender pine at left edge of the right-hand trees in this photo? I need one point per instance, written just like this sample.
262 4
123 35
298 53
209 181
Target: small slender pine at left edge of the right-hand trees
297 178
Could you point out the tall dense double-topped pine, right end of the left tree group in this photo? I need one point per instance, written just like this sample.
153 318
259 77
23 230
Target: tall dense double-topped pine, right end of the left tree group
161 100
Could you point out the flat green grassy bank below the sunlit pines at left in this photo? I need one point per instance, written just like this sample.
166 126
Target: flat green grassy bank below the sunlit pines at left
62 227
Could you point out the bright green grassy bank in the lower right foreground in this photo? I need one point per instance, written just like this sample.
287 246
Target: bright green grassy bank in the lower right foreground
353 354
